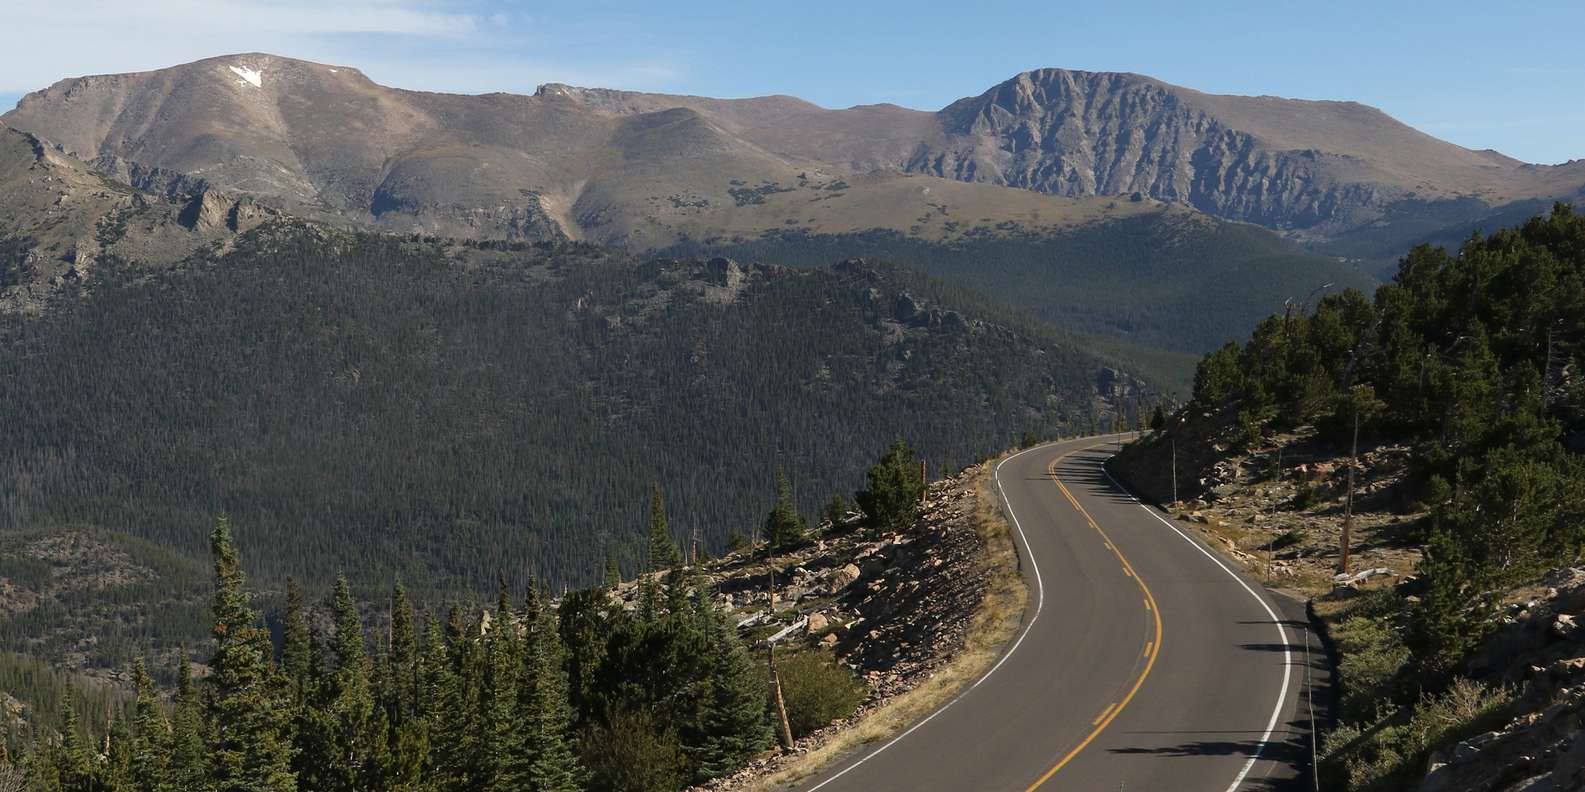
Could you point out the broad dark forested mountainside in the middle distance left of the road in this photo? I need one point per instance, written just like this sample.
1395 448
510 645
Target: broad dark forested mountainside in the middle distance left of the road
429 413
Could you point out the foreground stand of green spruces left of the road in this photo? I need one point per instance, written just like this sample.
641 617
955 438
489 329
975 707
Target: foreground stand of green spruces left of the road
518 698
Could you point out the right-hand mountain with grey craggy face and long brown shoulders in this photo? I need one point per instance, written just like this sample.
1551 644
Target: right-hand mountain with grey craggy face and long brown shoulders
1313 169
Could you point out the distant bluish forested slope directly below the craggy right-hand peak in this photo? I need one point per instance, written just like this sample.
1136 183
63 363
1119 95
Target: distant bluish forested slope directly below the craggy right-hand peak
1178 286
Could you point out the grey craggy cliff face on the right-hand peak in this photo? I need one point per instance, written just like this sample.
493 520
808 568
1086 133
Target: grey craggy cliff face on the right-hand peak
1106 134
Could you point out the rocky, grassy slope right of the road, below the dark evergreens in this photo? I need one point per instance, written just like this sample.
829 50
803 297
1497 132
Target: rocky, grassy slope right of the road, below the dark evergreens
1277 505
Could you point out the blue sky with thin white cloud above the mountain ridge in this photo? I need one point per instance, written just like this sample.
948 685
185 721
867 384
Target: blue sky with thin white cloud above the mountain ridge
1480 75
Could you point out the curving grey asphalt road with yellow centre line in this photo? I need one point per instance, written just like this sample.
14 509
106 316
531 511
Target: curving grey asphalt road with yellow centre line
1145 663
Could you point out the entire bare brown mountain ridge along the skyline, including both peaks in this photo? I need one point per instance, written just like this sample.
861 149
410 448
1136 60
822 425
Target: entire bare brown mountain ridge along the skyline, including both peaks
643 170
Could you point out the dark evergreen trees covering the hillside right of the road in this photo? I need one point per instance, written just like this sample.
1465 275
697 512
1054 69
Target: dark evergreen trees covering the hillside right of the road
1475 360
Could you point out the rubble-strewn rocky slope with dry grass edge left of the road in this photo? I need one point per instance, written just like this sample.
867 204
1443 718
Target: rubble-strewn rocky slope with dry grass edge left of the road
917 615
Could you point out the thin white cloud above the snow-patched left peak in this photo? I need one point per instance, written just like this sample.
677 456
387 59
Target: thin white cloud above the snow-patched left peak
426 45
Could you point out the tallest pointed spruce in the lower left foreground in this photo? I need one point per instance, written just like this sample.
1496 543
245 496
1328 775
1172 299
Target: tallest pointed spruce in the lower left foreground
248 725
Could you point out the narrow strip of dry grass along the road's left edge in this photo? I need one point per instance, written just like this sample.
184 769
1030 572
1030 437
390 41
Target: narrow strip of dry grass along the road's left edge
993 626
